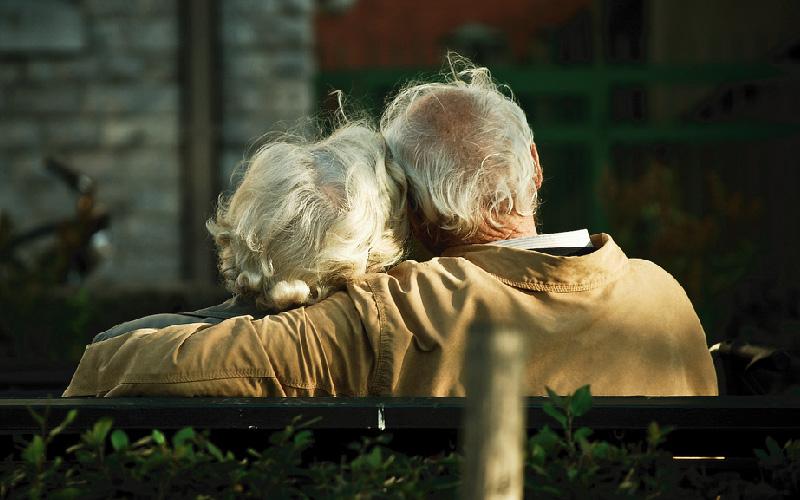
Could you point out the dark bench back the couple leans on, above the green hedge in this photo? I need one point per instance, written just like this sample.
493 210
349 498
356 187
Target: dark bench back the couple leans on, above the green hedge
729 426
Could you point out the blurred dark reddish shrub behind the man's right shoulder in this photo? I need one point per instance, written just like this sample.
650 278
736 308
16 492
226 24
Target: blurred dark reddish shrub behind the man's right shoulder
709 253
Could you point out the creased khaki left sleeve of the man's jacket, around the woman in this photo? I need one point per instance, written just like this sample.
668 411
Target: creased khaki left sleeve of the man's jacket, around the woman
316 350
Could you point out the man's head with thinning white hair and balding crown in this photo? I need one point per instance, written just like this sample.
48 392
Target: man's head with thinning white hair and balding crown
469 158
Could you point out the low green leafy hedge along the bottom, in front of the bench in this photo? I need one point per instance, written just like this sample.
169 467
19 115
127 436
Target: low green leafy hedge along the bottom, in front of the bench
562 463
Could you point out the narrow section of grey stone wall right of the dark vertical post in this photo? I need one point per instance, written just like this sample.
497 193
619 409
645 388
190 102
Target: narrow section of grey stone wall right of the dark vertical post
267 65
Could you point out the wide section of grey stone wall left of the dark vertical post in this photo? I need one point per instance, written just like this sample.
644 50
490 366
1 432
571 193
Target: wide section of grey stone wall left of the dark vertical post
110 109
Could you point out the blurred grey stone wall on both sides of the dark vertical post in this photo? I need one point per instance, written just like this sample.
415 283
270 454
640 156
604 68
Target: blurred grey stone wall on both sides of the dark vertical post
107 99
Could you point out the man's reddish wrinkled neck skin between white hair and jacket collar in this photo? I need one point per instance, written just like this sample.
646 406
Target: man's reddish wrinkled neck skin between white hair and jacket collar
436 241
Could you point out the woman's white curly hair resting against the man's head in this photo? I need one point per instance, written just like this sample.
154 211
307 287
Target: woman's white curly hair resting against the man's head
309 216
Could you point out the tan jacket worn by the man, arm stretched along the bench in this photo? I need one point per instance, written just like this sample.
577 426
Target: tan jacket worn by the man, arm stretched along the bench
624 326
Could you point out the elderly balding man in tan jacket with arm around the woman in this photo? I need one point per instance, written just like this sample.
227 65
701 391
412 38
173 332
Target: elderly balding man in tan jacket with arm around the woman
590 314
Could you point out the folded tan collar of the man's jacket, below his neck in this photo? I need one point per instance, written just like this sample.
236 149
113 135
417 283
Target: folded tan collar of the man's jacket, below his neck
532 270
